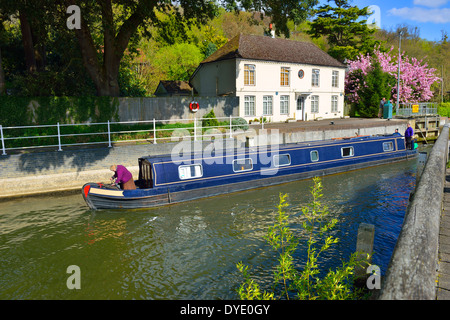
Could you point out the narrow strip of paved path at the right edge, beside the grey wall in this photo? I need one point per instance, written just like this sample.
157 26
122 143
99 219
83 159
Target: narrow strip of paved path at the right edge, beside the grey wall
443 279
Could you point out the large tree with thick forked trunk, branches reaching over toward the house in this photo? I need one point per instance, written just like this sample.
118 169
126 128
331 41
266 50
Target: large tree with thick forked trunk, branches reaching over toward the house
120 25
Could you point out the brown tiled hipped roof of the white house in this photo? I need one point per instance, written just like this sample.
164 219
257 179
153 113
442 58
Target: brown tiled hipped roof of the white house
273 49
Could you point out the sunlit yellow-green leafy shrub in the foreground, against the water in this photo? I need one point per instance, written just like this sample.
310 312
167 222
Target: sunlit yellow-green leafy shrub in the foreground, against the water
306 284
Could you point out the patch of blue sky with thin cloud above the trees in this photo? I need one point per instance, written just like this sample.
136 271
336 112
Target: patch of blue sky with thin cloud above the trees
431 16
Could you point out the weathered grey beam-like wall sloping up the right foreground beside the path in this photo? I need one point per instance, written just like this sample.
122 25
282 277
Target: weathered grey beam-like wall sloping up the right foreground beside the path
412 271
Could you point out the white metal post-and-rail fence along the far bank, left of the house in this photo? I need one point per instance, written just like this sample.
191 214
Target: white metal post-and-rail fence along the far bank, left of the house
157 131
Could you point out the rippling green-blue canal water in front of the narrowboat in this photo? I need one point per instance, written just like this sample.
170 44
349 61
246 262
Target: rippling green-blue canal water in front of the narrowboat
190 250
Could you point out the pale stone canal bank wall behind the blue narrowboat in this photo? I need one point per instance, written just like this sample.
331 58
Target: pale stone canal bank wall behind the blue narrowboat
38 172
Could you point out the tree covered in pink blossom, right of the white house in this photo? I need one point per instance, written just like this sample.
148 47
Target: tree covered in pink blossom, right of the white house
416 78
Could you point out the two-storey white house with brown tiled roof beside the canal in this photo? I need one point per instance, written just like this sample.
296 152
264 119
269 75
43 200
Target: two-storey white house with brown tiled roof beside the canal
276 78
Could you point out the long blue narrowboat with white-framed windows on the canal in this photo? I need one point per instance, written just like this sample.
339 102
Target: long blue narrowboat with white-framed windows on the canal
164 180
